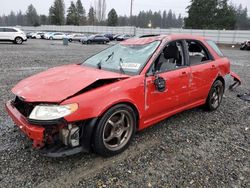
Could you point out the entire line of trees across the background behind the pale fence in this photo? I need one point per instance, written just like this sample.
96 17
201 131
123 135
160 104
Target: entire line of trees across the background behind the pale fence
202 14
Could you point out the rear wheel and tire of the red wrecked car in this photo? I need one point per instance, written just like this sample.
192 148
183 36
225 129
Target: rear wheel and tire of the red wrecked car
215 96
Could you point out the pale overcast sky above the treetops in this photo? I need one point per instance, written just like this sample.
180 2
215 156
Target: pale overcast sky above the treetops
121 6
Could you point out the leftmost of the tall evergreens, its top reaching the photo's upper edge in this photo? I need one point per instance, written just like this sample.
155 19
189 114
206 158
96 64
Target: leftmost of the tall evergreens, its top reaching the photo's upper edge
57 13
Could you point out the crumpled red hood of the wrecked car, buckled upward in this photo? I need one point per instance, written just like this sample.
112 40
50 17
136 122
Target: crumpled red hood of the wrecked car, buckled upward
57 84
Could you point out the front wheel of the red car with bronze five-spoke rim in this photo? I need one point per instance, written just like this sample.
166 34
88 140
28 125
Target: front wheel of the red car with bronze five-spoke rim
114 130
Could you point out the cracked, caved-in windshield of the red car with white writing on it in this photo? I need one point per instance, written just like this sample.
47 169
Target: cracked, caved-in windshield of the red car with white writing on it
122 58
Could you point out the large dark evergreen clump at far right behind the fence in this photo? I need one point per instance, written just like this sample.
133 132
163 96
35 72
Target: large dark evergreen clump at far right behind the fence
216 14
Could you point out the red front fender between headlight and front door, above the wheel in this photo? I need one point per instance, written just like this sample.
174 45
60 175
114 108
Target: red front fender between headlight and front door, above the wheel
94 103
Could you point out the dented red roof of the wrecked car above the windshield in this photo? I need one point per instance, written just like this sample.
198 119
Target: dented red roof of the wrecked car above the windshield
146 40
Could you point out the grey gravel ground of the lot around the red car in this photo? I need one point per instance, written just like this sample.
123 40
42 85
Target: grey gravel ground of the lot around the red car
191 149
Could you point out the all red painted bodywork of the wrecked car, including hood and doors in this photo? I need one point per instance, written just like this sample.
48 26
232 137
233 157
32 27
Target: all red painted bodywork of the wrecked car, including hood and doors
187 87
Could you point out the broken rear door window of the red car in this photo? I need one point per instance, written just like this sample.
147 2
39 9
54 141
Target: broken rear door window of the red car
197 53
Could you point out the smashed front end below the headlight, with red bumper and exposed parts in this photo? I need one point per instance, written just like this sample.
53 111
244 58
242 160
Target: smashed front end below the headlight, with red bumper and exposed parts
54 138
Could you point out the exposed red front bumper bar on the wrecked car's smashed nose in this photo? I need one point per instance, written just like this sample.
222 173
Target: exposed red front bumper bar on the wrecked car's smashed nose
35 133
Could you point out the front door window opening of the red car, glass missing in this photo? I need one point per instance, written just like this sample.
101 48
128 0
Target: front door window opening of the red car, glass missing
171 58
